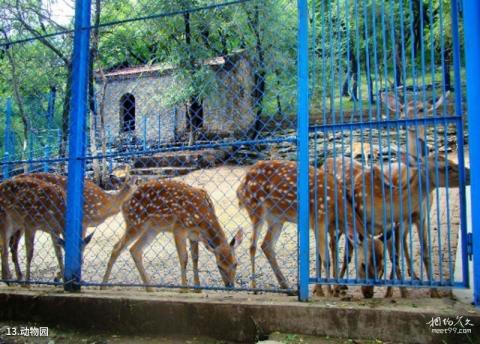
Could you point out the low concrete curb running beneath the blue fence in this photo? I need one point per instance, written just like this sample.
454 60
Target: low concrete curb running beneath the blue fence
243 318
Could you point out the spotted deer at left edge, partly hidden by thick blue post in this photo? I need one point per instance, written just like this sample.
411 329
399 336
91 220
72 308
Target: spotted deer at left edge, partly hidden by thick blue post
30 204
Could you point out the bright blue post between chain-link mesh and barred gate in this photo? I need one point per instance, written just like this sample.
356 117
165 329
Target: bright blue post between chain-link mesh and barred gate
302 152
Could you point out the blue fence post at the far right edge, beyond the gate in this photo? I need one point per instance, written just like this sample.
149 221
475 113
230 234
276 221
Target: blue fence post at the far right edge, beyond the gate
472 54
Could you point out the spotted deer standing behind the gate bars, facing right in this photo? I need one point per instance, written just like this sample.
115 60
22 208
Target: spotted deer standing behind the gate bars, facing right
401 188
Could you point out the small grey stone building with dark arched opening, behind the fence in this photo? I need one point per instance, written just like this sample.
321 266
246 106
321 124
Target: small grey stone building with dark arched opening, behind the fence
143 102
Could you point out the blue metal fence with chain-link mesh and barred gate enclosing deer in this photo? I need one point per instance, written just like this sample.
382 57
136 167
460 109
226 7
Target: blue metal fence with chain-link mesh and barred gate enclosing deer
208 108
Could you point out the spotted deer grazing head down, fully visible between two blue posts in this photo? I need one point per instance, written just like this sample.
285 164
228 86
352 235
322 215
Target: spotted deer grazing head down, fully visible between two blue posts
186 212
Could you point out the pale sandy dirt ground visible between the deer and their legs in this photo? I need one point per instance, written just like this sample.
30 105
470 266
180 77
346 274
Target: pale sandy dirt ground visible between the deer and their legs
161 260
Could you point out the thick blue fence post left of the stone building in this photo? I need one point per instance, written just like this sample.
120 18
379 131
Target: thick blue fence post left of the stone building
76 166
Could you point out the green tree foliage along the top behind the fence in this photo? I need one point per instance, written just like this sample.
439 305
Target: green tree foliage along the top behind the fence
343 40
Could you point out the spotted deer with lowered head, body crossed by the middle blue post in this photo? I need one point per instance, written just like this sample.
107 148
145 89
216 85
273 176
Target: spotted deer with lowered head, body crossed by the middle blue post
269 194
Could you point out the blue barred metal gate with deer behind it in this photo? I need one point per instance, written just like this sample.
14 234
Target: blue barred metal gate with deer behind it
387 144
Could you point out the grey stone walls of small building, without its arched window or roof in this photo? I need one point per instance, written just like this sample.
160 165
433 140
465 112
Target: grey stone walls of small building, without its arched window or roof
228 106
